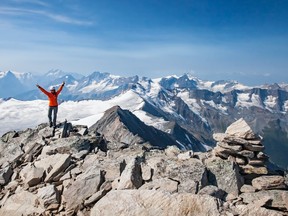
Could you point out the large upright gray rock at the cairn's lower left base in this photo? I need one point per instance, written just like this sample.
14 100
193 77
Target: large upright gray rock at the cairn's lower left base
225 175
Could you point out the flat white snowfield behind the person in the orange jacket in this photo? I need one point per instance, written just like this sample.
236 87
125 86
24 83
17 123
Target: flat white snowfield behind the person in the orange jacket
18 115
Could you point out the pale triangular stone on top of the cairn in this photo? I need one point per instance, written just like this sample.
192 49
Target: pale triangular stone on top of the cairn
241 129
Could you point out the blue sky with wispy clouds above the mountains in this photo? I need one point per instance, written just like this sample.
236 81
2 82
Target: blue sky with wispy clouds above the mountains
244 40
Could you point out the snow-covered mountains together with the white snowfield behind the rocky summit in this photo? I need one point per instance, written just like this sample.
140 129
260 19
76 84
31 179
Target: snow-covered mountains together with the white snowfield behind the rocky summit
187 108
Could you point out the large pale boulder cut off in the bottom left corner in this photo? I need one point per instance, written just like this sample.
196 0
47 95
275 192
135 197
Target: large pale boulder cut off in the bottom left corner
21 203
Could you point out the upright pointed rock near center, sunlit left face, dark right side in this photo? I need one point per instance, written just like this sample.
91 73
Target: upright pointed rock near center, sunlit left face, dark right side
131 177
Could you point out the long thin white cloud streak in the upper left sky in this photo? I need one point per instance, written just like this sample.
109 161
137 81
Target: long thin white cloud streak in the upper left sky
56 17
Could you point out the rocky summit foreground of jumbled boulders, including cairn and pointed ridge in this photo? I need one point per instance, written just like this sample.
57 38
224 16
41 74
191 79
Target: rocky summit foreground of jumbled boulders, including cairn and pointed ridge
112 170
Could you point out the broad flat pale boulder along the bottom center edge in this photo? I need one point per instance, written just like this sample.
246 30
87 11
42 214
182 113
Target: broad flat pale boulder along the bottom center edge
151 202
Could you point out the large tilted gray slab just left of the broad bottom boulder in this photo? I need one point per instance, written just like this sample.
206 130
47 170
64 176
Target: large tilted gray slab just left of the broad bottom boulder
85 185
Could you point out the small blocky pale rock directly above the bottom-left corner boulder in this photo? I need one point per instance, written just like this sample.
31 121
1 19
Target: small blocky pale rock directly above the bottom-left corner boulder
31 175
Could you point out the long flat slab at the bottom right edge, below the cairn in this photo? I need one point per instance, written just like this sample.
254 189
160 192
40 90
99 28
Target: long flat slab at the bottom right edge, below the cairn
279 198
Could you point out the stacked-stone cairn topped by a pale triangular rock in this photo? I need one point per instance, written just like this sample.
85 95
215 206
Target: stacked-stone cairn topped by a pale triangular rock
241 145
